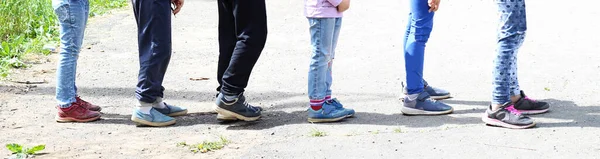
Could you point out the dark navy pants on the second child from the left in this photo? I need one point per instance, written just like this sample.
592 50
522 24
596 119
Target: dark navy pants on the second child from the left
153 19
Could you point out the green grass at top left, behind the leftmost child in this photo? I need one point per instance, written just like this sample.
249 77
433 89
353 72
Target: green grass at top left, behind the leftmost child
28 25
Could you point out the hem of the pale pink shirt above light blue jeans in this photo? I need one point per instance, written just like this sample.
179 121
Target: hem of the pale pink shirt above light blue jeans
322 8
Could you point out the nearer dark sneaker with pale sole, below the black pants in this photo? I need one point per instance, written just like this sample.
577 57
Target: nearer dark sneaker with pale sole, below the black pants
238 108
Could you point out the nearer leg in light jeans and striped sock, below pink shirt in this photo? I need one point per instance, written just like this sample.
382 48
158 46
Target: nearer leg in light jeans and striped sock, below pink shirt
322 33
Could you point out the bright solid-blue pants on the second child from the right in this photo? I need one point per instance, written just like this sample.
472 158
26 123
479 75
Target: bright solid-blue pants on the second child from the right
420 24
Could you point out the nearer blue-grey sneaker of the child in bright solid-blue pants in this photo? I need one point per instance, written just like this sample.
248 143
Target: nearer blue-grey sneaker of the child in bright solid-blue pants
424 105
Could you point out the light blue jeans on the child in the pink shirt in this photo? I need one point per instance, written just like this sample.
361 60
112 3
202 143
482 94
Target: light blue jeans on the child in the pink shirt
324 33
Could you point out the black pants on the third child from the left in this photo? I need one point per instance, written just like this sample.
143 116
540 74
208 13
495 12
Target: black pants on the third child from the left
242 37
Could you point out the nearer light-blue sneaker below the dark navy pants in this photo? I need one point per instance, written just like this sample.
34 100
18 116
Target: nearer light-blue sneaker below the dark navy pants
155 118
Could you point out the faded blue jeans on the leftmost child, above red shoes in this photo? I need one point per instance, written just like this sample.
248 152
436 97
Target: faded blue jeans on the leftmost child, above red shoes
72 17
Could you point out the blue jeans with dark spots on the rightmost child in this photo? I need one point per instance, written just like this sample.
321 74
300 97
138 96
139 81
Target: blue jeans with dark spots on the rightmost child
511 33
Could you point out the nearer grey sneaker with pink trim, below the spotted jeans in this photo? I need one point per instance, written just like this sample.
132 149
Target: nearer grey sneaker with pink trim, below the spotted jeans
507 116
